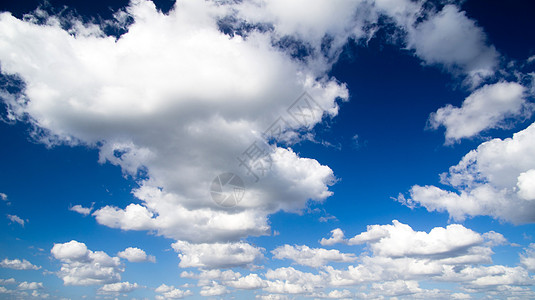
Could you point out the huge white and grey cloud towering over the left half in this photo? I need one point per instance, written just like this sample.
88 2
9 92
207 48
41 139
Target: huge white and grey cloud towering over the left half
95 90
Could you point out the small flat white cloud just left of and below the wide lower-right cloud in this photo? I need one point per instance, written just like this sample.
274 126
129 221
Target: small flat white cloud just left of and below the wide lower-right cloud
312 257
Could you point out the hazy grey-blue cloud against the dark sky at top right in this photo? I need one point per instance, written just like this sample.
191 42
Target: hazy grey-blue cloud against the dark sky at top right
453 40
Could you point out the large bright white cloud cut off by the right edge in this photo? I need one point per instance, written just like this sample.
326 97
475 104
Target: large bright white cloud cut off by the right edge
492 180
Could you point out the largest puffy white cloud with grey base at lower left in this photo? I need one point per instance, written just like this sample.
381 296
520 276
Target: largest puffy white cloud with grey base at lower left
81 266
